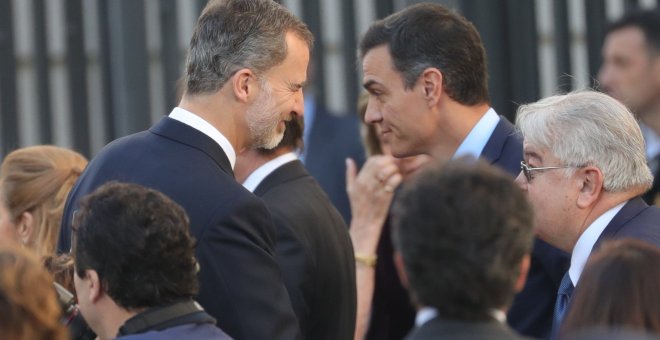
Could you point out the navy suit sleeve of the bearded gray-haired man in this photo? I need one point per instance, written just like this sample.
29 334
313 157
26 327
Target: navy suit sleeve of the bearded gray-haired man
240 281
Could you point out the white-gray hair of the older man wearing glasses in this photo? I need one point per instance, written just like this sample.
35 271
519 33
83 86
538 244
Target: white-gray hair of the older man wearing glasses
589 128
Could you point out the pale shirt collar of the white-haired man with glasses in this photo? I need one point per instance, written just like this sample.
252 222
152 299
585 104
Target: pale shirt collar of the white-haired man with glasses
587 240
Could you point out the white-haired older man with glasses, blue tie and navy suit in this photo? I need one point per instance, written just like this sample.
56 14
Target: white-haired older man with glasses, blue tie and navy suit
584 170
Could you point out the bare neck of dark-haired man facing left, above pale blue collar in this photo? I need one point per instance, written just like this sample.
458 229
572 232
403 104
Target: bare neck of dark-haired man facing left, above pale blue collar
456 122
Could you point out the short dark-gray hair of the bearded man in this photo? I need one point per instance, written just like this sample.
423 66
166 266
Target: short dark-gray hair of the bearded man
235 34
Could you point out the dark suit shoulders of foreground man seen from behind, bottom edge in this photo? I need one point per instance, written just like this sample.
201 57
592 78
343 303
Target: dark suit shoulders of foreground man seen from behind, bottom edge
438 328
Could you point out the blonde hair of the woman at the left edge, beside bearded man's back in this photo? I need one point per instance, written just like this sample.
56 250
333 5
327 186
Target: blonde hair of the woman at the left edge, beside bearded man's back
37 179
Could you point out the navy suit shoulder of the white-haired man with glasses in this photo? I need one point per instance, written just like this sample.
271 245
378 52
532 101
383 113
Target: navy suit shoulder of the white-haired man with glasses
636 220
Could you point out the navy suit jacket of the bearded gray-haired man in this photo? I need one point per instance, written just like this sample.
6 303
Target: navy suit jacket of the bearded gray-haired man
240 281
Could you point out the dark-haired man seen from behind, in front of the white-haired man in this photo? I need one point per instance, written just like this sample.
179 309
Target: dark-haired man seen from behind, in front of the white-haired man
463 234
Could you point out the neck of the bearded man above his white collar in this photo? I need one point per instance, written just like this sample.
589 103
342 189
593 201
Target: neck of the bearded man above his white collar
222 113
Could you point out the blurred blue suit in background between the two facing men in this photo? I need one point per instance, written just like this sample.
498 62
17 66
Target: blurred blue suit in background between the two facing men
332 139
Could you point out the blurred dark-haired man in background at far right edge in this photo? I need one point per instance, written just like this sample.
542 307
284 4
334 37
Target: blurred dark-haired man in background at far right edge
631 74
